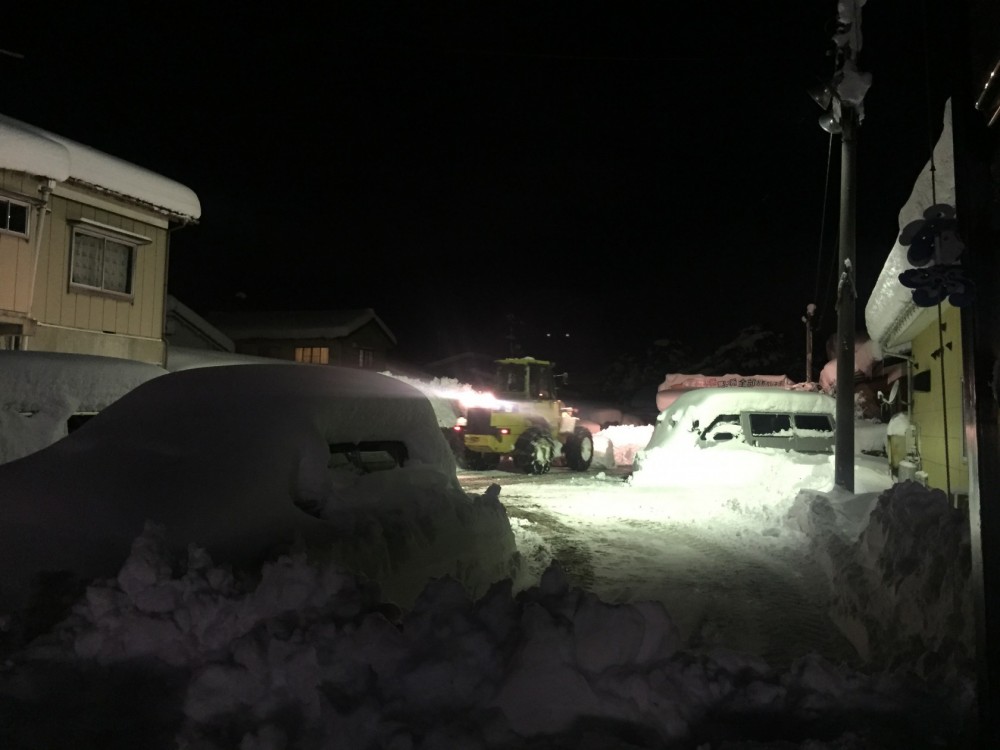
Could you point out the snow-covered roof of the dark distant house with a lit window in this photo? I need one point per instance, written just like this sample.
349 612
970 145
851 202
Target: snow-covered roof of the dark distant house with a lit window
286 324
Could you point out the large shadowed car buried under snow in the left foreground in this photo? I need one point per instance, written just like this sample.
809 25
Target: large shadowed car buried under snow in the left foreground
245 461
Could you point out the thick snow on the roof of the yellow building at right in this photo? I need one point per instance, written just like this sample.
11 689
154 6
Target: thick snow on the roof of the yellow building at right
890 314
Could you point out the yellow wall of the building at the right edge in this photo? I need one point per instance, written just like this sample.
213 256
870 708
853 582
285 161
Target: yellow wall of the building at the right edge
943 458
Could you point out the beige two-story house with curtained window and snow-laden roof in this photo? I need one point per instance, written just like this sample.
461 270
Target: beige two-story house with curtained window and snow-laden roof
84 243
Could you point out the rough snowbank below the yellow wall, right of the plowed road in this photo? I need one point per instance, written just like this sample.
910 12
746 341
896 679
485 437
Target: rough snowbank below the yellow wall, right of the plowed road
900 572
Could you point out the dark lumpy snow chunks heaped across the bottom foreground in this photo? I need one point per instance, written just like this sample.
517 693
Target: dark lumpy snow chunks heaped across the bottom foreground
307 654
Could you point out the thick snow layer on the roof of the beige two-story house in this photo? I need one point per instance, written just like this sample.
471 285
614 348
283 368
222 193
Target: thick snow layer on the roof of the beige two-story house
26 148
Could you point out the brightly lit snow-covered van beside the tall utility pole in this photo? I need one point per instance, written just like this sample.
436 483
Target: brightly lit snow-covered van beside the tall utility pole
756 433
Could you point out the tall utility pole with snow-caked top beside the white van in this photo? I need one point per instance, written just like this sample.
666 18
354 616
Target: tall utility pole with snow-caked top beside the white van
842 99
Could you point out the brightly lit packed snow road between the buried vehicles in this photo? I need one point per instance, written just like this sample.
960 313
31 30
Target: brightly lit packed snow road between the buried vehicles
723 562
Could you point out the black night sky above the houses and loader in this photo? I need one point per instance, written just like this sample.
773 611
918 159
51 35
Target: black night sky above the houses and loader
617 171
